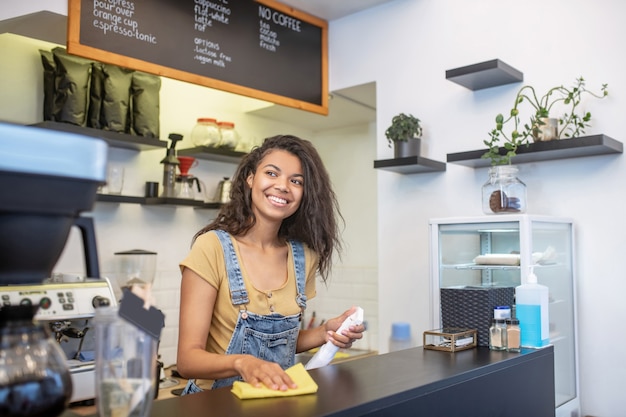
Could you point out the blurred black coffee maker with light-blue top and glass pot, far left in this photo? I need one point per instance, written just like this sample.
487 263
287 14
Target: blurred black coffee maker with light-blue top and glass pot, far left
47 178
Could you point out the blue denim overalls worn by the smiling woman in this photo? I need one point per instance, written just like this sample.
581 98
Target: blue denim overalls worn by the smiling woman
273 337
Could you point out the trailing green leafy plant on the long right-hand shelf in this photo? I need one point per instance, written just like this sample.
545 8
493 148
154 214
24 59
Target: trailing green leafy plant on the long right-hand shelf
570 124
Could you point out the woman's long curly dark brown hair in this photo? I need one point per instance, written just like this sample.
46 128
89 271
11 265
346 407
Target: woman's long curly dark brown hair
315 221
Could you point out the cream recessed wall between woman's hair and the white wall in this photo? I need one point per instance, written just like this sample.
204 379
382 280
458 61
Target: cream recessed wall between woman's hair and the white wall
348 154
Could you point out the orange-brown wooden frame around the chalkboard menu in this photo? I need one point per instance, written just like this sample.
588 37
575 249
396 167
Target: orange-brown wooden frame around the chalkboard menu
75 47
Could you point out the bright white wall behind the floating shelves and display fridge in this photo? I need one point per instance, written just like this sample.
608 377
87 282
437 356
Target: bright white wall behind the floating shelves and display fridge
406 47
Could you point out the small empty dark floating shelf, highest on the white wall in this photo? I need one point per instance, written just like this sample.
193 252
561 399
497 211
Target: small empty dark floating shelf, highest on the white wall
485 75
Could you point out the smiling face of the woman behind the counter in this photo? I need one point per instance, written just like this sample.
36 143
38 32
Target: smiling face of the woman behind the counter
277 186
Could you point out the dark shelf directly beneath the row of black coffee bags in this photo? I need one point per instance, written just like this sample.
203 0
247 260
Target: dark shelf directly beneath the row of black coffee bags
113 139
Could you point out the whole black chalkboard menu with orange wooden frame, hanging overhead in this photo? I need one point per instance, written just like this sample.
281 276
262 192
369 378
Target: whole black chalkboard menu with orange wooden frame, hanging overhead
261 48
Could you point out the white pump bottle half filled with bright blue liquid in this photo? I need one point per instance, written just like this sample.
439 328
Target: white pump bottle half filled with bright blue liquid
531 302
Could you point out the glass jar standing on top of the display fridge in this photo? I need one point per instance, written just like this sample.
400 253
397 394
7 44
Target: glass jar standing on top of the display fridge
504 192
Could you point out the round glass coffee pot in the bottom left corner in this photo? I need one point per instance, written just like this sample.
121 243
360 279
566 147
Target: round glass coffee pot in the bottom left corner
34 375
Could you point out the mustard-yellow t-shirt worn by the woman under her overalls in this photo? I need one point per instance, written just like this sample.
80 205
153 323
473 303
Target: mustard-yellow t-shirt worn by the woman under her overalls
206 259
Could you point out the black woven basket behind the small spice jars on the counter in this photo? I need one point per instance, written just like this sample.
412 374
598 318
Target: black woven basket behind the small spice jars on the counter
472 307
